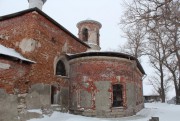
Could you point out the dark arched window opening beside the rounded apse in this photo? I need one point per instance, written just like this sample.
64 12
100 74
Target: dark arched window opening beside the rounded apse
60 69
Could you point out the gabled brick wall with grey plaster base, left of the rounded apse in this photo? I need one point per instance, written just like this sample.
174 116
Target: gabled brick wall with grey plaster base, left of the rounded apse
38 39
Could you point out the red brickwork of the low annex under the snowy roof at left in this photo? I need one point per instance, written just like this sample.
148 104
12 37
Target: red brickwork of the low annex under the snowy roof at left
15 77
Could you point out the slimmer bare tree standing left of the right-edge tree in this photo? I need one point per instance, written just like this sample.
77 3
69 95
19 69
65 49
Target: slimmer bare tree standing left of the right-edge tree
156 56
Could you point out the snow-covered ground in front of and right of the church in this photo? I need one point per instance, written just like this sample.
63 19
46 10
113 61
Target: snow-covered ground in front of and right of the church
165 112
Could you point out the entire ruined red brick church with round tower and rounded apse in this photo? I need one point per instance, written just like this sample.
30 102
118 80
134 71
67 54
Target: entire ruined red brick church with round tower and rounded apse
42 64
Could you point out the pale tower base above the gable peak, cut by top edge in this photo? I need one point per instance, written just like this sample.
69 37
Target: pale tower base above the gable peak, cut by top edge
36 3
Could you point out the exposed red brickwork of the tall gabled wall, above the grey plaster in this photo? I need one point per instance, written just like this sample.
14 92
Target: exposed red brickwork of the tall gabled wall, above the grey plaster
51 43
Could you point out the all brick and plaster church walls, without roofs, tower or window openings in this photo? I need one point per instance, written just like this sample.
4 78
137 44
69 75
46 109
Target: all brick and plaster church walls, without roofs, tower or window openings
42 40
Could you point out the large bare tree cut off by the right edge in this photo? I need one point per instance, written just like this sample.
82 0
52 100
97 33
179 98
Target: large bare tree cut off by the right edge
172 24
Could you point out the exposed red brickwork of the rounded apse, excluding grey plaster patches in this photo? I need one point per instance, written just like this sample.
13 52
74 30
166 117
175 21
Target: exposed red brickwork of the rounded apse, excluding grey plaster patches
91 70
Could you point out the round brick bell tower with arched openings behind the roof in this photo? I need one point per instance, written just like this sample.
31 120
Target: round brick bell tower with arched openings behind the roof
89 33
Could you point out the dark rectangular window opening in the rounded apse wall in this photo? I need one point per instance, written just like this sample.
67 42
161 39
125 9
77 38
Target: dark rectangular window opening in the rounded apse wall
117 95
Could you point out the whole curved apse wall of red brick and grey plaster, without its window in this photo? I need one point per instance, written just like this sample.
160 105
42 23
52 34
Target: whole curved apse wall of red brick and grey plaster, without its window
95 76
